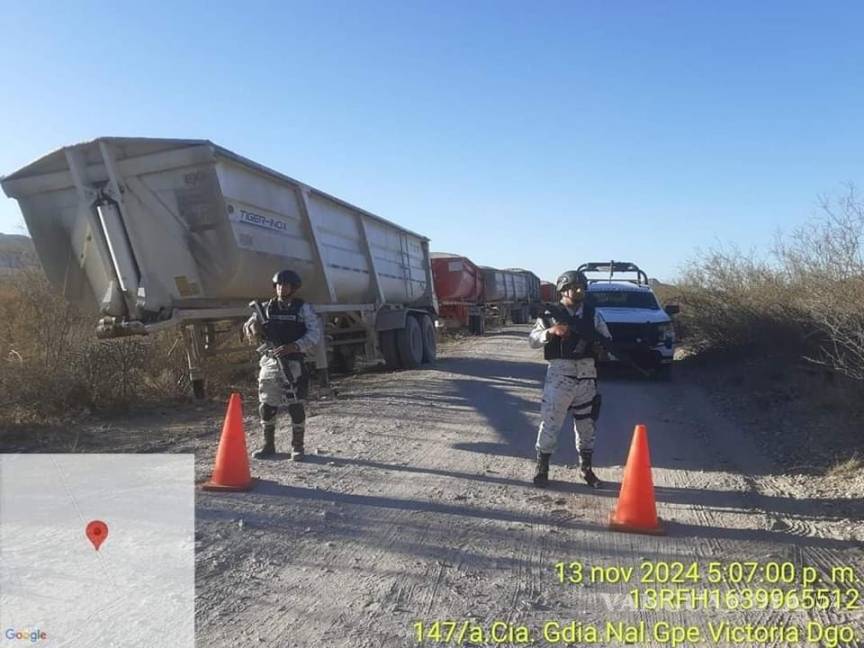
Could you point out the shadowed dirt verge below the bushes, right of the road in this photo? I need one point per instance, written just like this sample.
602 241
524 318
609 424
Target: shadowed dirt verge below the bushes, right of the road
805 422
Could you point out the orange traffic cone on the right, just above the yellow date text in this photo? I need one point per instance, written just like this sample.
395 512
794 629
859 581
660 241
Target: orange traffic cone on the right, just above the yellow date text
636 511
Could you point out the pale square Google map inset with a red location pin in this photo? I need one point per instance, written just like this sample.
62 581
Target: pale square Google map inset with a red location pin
97 550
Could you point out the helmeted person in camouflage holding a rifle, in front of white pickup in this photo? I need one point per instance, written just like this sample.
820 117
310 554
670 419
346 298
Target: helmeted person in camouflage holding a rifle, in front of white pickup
563 332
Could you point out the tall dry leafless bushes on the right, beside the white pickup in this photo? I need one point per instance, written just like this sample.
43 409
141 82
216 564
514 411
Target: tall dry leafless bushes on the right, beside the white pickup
807 300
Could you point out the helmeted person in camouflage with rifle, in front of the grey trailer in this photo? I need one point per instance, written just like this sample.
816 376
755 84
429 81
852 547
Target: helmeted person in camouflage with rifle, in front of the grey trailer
292 328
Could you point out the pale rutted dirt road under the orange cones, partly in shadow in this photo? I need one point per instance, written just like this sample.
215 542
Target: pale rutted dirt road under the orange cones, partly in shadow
417 508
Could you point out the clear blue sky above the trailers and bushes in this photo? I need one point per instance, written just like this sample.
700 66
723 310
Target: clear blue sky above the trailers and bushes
522 134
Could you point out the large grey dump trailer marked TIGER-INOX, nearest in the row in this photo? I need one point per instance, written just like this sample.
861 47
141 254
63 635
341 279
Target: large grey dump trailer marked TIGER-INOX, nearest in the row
154 233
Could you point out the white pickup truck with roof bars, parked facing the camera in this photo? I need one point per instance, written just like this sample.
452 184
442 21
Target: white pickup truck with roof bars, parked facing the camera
638 323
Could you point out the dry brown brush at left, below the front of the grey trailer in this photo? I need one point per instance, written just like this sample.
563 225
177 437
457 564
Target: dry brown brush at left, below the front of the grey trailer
51 364
